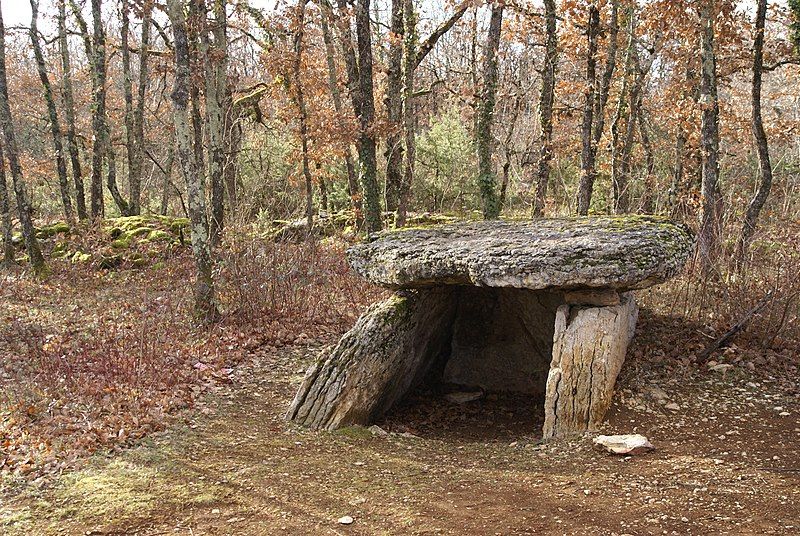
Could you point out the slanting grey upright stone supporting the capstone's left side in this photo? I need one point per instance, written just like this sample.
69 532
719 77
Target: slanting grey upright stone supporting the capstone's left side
388 352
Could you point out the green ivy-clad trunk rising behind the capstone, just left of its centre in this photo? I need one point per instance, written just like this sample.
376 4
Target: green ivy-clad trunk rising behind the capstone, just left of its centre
486 176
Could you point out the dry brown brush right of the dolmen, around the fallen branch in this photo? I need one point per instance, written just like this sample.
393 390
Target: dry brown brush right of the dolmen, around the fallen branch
710 302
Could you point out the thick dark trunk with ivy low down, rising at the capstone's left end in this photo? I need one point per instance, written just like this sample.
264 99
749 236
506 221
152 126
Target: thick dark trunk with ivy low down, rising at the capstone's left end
366 144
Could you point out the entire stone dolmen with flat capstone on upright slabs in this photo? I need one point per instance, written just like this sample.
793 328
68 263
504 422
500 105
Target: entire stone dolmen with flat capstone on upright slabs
542 307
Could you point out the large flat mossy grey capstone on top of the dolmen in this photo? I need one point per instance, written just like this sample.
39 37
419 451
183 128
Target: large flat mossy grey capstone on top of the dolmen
621 253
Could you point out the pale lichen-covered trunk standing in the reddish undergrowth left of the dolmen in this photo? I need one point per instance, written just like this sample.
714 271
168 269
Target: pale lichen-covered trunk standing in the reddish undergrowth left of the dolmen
205 302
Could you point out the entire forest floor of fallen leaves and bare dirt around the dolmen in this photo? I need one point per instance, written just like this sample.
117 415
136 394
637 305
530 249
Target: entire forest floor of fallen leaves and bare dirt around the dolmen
222 460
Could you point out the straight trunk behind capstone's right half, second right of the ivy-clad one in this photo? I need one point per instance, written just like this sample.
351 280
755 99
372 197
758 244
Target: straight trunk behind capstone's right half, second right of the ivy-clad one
586 185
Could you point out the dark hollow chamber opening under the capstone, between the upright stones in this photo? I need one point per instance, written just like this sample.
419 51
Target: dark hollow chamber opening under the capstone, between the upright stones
486 379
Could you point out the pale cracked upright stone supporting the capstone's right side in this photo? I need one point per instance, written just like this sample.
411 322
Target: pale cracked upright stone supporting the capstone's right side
589 346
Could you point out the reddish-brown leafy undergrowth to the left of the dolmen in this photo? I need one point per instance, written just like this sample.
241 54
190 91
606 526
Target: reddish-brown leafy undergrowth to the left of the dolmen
94 360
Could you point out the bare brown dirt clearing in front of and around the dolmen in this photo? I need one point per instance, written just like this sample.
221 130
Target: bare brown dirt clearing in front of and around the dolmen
726 462
